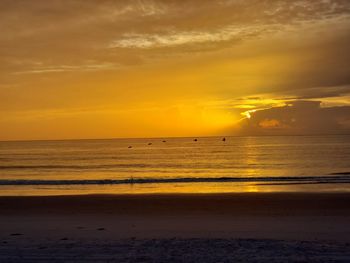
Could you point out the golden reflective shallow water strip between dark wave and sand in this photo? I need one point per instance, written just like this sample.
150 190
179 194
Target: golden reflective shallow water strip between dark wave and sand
172 188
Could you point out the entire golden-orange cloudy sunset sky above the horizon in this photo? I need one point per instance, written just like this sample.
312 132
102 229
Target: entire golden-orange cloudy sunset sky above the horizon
107 69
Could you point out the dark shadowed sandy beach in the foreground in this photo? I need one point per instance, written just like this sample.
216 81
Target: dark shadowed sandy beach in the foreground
252 227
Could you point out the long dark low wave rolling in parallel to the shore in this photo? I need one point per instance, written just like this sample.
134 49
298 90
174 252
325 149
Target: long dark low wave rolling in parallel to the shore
280 180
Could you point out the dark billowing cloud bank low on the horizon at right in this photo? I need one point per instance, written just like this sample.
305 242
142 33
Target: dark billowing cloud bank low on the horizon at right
298 117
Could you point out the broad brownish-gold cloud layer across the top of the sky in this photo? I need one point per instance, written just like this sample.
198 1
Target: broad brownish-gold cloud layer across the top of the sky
58 33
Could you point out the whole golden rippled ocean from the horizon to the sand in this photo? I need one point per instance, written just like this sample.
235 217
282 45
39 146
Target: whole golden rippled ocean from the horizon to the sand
176 165
